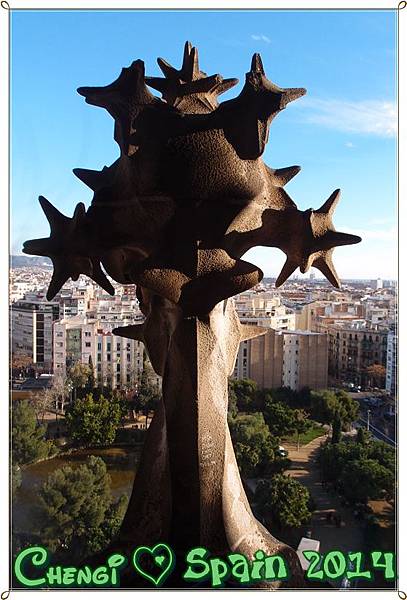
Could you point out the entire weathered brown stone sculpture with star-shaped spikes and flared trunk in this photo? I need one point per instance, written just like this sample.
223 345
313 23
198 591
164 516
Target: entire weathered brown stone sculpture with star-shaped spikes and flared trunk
174 214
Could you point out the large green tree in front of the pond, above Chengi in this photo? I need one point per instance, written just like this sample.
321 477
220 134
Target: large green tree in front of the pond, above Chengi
78 514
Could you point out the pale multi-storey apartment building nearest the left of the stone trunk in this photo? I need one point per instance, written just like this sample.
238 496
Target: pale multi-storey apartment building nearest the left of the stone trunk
117 361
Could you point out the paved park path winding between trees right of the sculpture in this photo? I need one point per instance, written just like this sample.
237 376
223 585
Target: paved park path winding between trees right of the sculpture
347 538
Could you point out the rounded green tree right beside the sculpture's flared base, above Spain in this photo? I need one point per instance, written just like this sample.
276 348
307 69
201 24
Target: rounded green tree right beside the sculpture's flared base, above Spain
283 501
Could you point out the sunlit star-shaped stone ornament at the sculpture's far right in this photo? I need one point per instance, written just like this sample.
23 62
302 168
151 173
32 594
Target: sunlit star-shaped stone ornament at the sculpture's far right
313 245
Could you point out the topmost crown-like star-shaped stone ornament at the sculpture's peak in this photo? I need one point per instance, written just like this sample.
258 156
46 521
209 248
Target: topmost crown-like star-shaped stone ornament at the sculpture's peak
189 89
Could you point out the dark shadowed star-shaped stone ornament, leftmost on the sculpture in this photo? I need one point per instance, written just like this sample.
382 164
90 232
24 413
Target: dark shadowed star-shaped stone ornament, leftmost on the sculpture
66 249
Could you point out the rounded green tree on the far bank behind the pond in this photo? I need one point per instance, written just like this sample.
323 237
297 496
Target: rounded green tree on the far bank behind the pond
93 422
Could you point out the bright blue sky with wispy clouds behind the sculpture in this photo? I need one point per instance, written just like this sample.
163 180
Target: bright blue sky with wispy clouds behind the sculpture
342 132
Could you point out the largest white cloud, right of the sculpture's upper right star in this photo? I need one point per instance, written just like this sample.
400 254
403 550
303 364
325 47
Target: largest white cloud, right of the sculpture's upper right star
374 117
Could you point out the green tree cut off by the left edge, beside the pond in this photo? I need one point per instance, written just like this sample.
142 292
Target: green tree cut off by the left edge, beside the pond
28 437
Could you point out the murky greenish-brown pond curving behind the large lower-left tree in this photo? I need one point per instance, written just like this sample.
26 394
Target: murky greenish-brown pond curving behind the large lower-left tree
120 462
